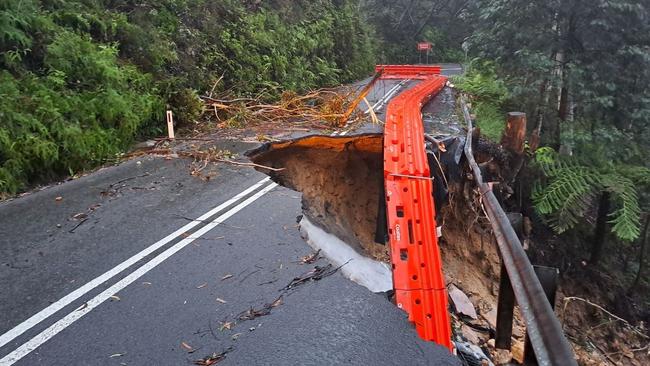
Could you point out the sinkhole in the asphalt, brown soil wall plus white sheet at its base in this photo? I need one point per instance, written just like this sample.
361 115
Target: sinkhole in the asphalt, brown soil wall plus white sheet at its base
341 181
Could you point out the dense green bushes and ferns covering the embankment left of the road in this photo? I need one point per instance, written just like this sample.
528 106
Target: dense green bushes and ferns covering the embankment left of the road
79 80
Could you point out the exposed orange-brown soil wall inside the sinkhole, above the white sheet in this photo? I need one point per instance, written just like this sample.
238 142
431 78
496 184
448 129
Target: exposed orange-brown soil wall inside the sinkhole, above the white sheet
340 179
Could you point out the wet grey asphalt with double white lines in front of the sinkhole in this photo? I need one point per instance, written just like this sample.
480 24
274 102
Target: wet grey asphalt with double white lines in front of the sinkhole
77 288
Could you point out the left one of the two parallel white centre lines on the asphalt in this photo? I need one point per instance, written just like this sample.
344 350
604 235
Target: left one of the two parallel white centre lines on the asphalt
74 295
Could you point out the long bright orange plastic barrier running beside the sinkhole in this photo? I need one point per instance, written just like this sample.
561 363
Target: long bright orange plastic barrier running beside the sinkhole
417 266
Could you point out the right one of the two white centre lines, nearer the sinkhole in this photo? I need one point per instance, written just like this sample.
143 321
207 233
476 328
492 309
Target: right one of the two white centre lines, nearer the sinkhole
75 315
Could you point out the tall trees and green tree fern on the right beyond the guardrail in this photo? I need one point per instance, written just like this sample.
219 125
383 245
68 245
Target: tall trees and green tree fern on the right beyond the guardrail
564 64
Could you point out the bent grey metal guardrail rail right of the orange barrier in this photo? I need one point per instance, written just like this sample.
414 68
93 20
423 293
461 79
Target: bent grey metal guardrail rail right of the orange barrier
543 328
